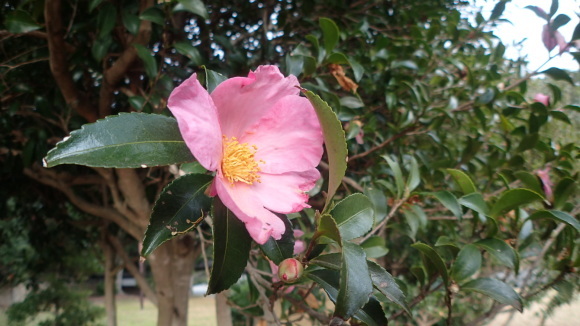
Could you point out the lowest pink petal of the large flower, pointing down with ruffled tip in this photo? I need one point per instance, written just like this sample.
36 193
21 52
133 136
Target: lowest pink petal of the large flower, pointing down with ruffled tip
240 199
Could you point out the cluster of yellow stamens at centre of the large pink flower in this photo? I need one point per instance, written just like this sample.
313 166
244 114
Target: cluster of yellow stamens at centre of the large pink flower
239 163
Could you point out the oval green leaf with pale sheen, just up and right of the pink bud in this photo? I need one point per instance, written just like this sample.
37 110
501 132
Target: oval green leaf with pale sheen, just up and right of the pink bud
354 216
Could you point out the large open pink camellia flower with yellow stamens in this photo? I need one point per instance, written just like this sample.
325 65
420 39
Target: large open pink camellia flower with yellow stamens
261 138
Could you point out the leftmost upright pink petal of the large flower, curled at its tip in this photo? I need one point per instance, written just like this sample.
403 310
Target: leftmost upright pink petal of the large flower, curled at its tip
198 122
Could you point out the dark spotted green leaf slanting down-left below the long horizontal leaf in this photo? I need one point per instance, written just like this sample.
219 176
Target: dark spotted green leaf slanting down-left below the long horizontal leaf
181 206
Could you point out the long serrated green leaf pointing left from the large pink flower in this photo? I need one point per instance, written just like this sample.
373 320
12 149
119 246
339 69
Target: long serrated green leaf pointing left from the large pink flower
131 140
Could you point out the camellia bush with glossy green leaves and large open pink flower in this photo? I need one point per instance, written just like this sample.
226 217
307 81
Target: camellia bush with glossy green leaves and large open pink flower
383 163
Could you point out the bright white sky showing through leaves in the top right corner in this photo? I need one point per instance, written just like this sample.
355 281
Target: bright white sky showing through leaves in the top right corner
526 25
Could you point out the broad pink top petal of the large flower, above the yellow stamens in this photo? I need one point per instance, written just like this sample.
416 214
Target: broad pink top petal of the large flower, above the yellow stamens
242 101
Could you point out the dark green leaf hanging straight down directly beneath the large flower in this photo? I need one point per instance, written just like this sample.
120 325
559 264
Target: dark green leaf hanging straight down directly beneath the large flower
231 248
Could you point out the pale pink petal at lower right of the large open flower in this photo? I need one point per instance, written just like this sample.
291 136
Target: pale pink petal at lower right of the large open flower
285 193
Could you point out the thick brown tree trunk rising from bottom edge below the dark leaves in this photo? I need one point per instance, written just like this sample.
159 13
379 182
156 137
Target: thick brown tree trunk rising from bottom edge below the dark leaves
172 265
